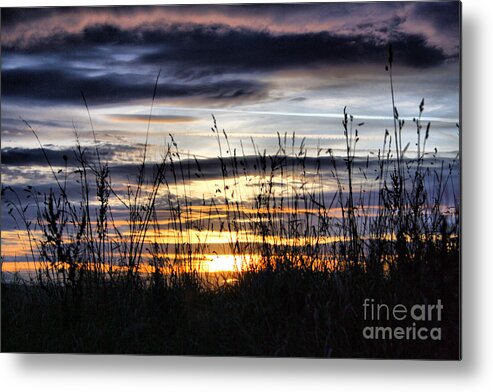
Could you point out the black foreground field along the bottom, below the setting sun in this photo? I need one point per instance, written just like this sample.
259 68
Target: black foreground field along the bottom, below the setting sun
291 313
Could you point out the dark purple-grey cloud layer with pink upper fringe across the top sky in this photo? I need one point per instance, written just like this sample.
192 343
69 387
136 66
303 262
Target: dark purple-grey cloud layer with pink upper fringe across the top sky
208 53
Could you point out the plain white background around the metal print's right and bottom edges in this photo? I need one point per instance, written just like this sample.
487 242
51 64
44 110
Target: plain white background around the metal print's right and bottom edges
474 373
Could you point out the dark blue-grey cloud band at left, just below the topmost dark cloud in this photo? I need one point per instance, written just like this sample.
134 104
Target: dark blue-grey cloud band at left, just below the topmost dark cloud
65 86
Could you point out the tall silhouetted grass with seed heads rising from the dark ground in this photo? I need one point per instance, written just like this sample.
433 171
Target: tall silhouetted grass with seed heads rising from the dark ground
382 234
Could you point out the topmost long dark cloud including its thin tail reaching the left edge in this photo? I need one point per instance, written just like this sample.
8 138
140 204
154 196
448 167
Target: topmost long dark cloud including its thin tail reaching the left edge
233 49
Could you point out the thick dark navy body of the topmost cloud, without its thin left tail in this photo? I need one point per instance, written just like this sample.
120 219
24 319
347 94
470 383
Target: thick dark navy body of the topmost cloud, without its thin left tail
244 50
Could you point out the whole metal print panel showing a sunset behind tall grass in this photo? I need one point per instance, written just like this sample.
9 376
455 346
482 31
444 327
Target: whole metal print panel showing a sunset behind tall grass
232 180
